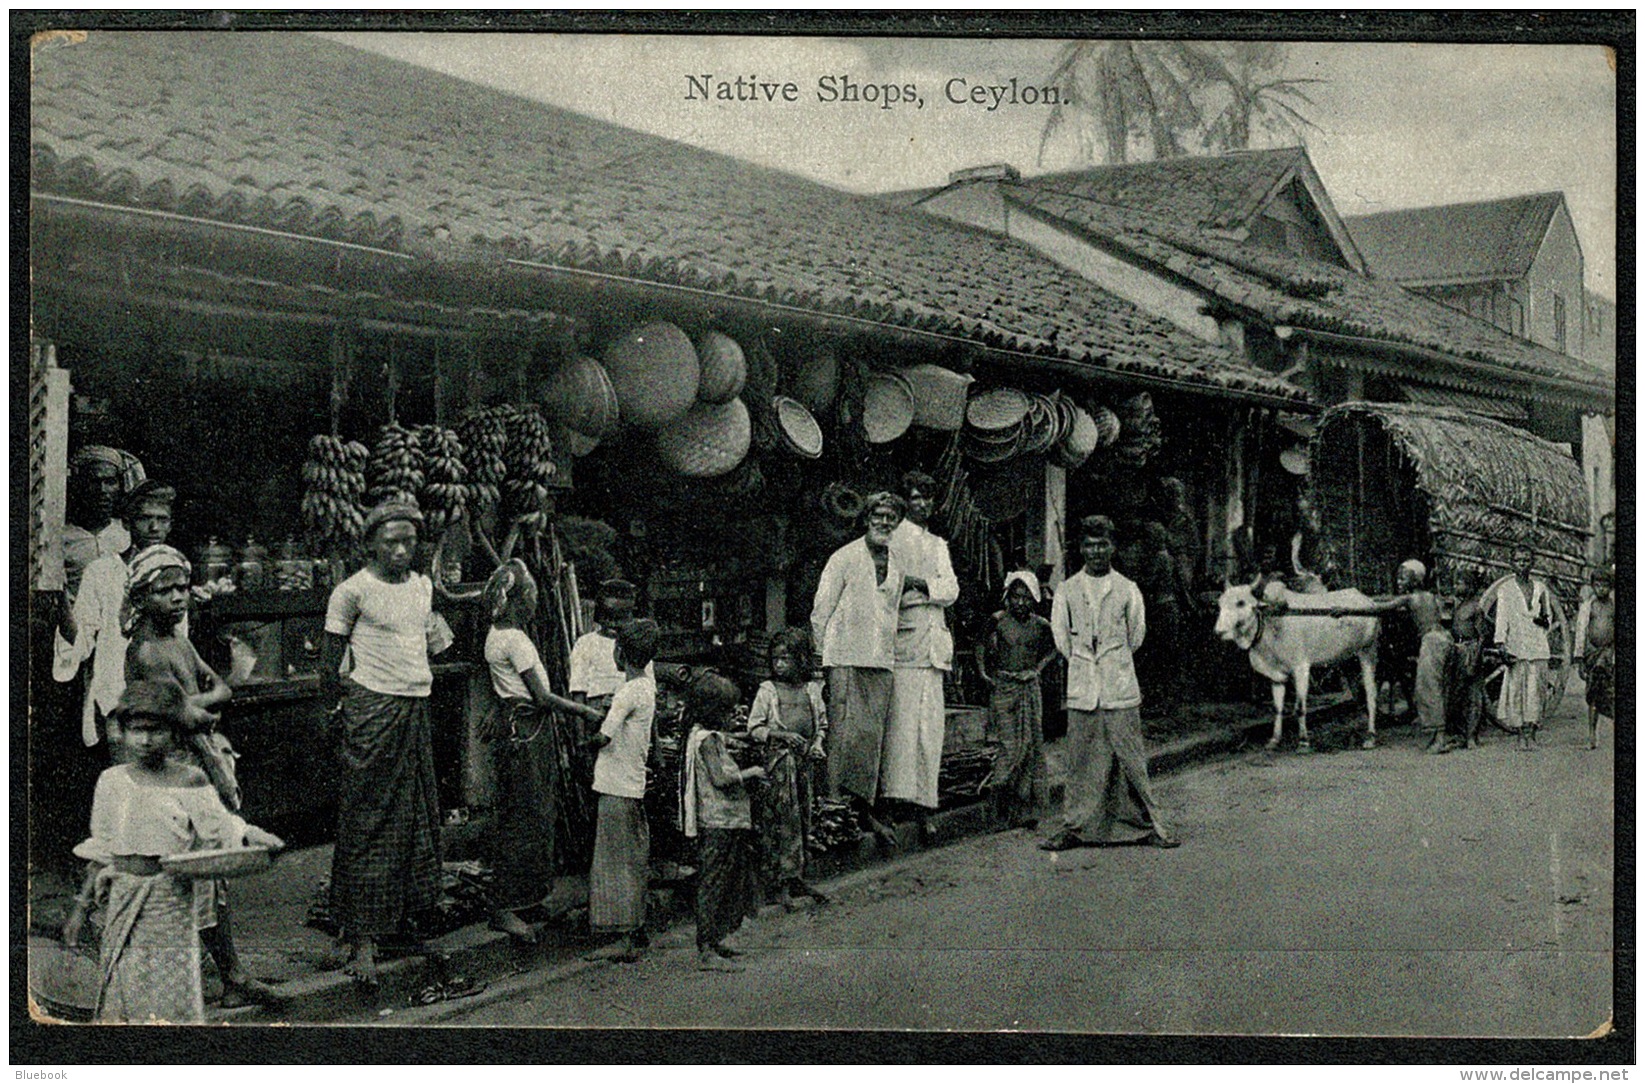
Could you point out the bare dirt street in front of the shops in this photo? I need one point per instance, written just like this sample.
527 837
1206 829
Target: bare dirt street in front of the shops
1345 892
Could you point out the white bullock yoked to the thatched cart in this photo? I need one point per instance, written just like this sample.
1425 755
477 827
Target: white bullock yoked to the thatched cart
1287 634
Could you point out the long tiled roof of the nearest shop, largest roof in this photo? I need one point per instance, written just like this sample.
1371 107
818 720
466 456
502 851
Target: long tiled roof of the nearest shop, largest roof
379 152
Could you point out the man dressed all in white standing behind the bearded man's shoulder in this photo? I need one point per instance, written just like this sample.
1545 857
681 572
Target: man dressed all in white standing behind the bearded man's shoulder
925 652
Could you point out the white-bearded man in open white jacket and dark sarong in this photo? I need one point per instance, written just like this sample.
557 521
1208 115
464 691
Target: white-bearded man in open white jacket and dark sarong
855 626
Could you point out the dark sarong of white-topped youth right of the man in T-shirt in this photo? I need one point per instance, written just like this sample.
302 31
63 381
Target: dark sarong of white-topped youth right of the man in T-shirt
522 840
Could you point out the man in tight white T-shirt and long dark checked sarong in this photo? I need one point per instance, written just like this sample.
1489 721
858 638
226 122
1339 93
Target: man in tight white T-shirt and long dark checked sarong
386 868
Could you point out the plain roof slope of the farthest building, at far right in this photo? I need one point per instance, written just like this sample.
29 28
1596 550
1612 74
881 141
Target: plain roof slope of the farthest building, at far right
1457 243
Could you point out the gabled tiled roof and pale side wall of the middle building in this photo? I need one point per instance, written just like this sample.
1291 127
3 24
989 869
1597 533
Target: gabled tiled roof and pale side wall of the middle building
1195 241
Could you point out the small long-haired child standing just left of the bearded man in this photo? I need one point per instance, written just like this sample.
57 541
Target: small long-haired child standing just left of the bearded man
789 718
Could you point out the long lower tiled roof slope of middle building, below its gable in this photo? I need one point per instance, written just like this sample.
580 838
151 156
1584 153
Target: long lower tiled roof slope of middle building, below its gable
1309 294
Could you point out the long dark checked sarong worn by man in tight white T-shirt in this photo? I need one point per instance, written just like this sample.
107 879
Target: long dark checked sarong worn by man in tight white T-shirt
386 868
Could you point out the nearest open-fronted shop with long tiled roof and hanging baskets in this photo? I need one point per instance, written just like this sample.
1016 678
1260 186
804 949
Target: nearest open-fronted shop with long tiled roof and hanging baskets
726 356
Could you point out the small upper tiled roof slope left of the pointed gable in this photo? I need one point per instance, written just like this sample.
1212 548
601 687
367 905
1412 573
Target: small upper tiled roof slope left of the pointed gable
1218 193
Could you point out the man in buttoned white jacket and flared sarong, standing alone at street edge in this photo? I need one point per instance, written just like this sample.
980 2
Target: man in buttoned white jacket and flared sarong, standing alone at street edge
1098 624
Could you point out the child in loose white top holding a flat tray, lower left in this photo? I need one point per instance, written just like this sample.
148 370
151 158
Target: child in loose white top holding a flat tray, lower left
144 812
